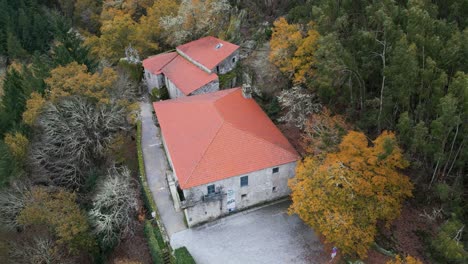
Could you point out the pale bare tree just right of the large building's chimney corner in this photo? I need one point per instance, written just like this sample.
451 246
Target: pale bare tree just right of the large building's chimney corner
298 104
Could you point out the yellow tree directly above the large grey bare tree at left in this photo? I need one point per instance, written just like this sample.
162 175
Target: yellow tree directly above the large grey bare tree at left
74 79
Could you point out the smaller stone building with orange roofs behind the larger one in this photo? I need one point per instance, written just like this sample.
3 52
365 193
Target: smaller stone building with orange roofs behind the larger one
193 68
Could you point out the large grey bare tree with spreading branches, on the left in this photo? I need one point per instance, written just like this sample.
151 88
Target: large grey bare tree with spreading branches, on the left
74 134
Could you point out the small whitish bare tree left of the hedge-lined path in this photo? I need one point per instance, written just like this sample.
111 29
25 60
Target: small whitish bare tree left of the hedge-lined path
114 207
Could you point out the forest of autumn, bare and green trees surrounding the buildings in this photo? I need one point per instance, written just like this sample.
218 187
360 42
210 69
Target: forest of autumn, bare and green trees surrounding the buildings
373 94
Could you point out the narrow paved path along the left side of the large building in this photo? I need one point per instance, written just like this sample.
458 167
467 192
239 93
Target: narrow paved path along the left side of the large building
156 166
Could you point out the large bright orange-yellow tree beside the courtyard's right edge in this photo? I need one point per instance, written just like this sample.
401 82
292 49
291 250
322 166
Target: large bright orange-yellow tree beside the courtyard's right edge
345 195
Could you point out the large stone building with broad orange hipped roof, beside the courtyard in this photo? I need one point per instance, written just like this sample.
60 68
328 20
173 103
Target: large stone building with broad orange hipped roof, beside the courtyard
225 154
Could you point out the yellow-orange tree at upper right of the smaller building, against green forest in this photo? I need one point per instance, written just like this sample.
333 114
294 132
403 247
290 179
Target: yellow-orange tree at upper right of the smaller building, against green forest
292 51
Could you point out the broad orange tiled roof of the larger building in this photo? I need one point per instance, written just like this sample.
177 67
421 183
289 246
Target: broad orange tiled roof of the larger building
215 136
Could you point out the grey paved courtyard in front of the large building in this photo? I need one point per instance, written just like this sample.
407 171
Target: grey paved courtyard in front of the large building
267 235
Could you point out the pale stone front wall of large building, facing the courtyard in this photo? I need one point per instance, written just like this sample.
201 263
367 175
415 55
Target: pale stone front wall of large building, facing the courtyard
263 186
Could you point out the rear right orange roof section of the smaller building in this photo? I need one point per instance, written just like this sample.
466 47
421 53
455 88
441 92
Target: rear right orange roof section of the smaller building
207 50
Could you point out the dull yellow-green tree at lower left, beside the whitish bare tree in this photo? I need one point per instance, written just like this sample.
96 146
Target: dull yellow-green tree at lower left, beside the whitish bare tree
58 211
